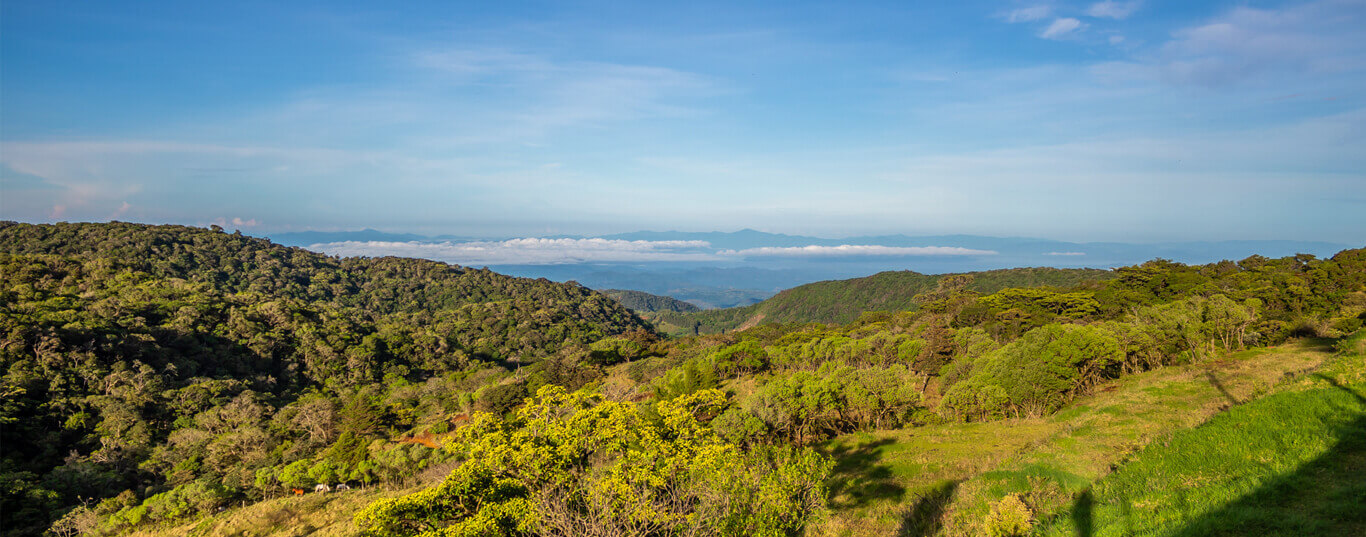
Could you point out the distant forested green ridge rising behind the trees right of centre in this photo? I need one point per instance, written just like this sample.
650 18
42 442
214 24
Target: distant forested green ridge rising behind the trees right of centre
844 301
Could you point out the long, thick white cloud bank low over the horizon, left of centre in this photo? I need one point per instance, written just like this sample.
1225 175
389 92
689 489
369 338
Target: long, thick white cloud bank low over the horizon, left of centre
528 251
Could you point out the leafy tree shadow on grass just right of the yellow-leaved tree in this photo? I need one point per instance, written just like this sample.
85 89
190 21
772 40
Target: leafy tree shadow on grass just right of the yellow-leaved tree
860 478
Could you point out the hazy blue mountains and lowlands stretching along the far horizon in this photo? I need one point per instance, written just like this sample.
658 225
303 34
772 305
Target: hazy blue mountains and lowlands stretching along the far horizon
738 268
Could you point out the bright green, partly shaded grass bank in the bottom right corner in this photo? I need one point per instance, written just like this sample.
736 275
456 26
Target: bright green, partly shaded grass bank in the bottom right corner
1292 464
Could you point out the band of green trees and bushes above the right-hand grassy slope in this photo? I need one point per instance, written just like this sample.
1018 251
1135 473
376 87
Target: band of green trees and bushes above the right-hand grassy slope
1020 352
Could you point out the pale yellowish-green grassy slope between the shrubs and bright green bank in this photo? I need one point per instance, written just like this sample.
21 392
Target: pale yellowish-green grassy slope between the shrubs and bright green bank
943 479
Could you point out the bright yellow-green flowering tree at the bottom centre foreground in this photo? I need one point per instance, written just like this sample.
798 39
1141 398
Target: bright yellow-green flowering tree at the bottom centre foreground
570 464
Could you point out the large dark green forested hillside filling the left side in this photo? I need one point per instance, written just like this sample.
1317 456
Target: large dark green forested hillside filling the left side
165 371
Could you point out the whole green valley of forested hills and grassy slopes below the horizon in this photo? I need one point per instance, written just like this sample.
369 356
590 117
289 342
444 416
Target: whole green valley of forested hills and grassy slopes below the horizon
173 381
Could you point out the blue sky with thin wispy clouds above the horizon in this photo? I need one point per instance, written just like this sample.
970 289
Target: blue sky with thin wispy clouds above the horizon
1076 121
